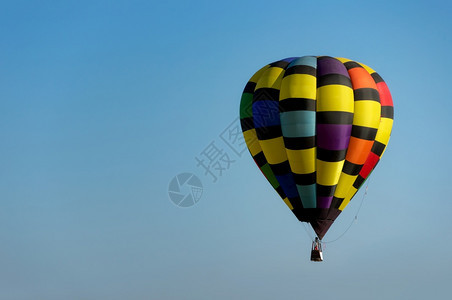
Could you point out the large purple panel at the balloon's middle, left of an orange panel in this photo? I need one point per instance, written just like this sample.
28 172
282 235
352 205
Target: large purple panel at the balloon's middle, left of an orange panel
333 136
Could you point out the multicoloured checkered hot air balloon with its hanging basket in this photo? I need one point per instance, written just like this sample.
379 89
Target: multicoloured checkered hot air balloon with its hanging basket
316 127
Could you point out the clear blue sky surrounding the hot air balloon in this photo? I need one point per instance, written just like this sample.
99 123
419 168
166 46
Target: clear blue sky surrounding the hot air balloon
104 102
